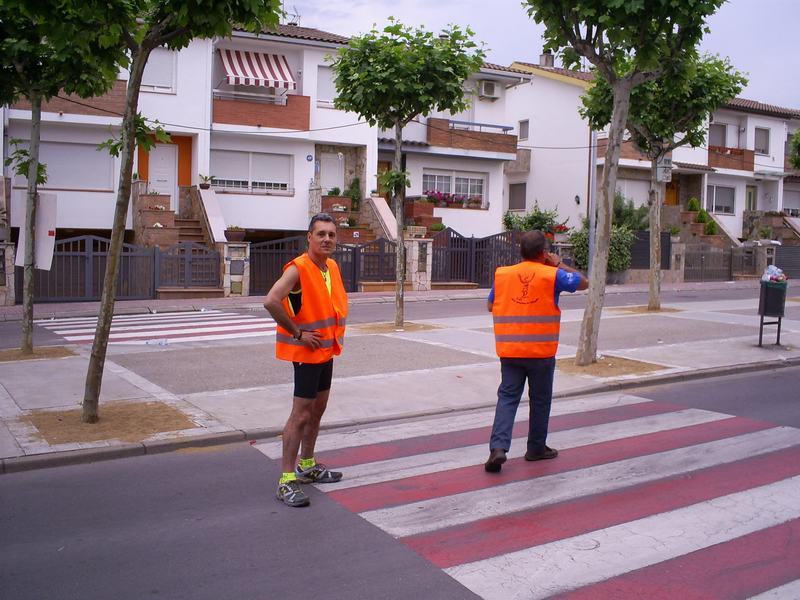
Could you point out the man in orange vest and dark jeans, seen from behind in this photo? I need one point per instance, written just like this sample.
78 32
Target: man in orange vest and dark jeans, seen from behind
524 304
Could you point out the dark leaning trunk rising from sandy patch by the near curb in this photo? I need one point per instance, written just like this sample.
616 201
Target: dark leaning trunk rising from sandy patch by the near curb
94 374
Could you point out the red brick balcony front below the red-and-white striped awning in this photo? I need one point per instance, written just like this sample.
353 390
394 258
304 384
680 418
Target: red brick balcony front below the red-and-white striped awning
296 114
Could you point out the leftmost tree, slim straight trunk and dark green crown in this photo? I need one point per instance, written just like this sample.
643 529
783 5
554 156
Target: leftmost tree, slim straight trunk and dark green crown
46 47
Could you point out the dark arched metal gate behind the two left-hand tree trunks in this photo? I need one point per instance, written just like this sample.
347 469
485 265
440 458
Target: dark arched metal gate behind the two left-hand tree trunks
79 268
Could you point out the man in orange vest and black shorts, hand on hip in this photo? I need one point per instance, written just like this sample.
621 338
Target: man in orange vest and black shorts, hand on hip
309 304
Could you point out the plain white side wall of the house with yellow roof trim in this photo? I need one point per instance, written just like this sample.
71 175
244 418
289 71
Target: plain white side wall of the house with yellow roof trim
556 175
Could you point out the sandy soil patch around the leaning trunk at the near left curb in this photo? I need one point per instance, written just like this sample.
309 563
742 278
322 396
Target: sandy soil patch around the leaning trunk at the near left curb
125 421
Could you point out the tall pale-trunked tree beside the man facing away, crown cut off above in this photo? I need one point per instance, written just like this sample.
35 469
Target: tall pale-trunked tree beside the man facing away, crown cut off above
627 43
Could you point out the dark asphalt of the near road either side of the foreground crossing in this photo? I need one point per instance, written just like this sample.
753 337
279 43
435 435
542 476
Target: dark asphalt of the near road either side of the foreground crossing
204 524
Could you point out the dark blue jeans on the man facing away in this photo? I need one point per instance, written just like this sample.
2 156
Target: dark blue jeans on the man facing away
538 372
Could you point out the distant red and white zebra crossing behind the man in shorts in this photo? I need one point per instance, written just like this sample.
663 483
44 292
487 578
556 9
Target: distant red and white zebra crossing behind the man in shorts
188 326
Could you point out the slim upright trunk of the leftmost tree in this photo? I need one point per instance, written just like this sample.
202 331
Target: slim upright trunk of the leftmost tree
26 347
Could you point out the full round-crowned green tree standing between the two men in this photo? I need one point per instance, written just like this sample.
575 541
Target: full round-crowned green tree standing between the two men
392 76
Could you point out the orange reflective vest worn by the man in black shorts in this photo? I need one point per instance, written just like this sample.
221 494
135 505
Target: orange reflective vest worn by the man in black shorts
320 311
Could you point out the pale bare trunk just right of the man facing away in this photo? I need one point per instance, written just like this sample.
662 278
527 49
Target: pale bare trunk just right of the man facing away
590 326
